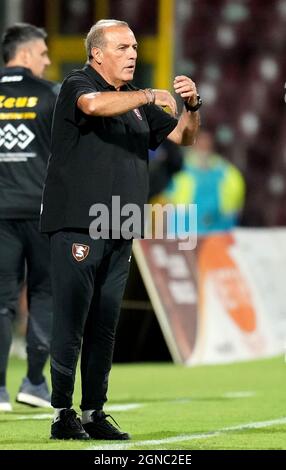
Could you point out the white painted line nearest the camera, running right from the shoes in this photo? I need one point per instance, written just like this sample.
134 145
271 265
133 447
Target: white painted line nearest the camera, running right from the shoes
189 437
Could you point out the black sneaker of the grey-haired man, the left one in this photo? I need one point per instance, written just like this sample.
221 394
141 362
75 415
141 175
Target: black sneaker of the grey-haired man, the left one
68 427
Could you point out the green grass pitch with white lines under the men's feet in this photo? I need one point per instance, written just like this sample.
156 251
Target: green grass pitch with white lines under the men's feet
166 406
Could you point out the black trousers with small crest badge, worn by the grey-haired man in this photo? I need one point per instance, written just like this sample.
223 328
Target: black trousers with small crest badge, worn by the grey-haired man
88 282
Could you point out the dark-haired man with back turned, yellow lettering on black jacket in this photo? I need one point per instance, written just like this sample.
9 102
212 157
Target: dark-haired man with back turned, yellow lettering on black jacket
26 107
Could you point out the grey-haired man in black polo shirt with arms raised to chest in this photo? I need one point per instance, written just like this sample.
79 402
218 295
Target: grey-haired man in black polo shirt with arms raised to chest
102 129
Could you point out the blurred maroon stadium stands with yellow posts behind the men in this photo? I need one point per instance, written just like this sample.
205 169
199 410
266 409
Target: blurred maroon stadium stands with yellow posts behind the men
233 49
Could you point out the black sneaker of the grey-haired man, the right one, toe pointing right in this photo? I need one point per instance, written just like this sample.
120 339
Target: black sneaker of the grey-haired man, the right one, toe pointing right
100 428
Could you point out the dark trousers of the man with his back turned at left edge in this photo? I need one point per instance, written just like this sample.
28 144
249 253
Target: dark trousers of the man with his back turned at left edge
25 252
